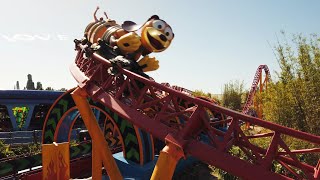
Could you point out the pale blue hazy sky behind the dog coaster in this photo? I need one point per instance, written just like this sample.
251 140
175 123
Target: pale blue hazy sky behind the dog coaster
215 41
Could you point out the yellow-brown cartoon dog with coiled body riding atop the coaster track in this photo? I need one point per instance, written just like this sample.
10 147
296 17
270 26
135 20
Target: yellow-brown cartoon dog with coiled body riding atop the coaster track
156 36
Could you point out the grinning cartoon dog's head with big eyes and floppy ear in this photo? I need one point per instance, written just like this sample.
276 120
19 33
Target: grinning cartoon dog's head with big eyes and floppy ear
156 34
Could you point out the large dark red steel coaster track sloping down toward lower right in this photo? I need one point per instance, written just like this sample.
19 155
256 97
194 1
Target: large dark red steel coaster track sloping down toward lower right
183 120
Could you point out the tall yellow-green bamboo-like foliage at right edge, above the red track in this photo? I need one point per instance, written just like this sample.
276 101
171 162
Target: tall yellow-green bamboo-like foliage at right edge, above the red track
294 99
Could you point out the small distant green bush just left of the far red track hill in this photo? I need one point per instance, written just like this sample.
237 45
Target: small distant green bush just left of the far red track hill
233 95
